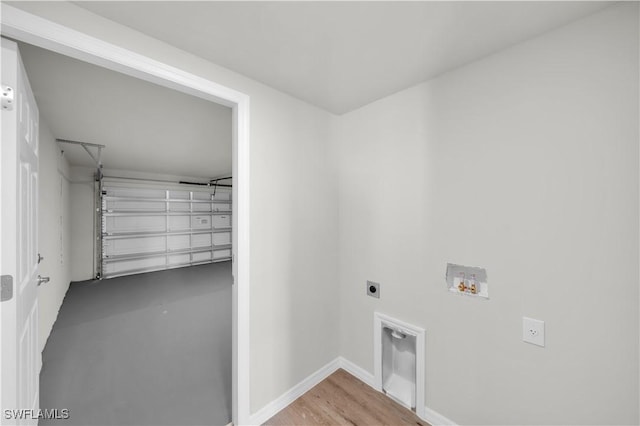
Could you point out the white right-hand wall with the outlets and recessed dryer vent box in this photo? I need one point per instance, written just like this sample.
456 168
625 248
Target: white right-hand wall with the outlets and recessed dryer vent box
525 163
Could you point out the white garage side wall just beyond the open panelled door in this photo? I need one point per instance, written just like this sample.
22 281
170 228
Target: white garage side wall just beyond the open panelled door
54 231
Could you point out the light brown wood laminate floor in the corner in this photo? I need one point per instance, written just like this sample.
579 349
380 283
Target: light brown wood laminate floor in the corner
341 399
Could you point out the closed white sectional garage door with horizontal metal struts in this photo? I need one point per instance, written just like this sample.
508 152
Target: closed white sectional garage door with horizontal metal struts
149 227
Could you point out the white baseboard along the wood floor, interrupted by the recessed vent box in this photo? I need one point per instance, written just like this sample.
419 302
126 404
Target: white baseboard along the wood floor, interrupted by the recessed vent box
265 413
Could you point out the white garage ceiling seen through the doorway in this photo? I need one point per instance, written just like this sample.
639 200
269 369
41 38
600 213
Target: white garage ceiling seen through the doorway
145 127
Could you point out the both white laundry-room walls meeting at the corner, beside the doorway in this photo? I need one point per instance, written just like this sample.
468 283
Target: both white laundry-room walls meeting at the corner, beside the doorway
525 163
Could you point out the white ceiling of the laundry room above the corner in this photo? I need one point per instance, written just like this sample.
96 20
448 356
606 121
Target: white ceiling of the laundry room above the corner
342 55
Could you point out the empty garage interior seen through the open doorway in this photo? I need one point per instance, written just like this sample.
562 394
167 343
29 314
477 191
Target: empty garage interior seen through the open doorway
137 215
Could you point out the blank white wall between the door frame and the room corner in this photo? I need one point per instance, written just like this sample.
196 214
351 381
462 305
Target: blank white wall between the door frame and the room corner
294 311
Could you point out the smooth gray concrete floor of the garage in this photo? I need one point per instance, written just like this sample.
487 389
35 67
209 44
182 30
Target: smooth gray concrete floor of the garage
148 349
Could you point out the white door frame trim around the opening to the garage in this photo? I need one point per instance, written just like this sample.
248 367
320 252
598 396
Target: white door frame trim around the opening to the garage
32 29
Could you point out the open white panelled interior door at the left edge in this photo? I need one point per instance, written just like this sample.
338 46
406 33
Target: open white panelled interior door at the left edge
20 357
